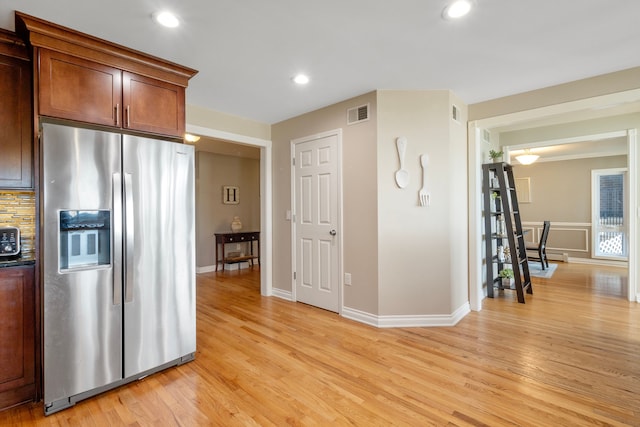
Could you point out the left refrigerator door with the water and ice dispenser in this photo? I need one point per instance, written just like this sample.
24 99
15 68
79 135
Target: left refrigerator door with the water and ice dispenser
82 316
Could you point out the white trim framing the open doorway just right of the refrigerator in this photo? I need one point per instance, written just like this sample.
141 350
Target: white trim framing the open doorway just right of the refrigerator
266 191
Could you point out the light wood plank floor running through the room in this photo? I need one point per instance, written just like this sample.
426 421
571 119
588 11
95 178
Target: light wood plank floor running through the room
570 356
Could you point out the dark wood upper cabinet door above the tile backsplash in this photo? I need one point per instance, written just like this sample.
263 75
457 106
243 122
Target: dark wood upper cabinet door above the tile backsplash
15 123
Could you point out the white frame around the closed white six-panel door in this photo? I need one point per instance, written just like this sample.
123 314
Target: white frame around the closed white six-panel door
338 134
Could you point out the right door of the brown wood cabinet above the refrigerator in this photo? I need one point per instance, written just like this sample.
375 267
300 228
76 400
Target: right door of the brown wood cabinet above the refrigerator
153 106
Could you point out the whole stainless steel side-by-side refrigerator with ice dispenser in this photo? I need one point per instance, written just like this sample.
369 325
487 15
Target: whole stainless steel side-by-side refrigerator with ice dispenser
118 245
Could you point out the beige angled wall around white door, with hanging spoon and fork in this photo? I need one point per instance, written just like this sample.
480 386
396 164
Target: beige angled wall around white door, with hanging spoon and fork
404 259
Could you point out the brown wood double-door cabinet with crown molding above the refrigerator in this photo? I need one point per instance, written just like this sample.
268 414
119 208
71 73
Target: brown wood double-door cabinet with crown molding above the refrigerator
83 78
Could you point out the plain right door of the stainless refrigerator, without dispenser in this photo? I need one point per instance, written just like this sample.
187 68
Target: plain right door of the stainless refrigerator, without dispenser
159 292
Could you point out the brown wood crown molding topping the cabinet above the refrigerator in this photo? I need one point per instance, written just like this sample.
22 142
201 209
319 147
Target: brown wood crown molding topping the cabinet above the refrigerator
42 34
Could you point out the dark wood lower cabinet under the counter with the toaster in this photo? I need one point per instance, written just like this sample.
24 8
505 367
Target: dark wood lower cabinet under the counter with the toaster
17 336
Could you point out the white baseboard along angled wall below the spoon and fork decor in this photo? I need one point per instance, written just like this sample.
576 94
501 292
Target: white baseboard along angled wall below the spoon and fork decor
407 321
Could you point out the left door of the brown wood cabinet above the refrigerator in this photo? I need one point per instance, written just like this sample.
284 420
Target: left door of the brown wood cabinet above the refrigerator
77 89
